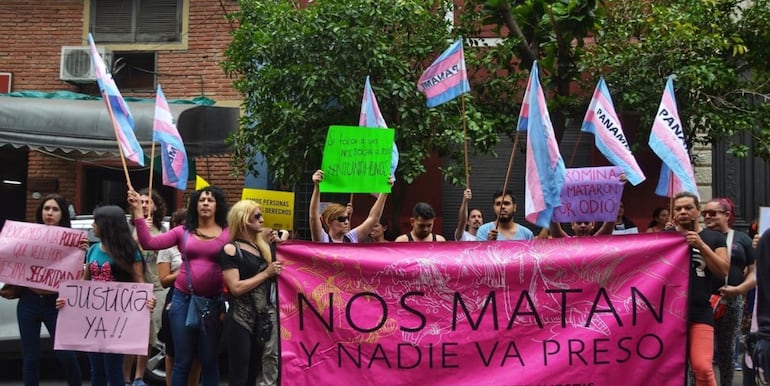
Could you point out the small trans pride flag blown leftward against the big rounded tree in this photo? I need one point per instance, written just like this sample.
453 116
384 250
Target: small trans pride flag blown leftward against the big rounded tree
446 78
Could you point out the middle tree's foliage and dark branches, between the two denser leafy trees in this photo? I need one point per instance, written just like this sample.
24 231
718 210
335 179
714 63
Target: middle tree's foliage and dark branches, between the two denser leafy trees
553 32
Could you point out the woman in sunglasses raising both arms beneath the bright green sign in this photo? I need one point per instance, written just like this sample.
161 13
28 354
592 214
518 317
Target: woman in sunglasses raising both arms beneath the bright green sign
336 218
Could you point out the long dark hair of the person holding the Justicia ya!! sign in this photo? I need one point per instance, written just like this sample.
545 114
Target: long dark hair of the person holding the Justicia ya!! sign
116 237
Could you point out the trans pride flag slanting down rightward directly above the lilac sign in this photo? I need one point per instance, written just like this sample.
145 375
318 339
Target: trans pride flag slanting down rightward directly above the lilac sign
602 121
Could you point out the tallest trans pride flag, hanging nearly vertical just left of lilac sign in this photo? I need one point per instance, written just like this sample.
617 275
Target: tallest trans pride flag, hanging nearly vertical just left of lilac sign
545 167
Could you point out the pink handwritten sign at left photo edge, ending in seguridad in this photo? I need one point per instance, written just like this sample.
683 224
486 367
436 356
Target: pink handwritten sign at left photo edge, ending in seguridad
40 256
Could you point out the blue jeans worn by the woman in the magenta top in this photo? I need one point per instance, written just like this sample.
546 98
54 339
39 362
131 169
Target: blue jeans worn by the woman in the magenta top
192 342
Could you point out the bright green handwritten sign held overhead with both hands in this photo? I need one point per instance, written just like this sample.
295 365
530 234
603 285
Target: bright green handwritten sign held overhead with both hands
357 160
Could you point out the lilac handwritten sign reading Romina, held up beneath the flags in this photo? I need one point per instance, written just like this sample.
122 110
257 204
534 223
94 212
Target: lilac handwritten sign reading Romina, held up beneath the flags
590 194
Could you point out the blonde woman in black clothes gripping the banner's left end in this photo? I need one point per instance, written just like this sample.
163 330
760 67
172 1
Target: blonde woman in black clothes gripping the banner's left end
247 268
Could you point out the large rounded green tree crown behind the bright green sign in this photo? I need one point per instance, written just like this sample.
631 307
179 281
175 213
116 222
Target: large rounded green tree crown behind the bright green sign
303 69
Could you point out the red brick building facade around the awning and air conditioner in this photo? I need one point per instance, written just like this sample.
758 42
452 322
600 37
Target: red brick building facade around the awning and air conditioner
187 68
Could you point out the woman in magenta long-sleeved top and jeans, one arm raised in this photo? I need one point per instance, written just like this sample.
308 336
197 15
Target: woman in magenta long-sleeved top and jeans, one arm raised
200 239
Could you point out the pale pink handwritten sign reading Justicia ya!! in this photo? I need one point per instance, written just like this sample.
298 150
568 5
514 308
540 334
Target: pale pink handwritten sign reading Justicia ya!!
104 316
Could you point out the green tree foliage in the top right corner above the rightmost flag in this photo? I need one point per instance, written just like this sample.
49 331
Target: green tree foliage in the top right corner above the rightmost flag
716 49
